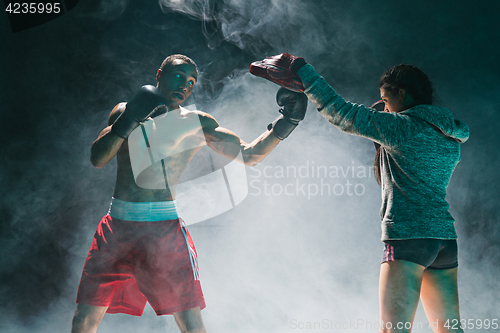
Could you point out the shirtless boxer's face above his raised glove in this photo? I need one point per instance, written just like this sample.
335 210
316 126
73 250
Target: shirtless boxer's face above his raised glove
176 82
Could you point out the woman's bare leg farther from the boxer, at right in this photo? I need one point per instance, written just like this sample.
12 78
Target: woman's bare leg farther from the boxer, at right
440 299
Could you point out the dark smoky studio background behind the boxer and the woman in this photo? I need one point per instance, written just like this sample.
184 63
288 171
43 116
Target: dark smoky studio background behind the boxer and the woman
272 259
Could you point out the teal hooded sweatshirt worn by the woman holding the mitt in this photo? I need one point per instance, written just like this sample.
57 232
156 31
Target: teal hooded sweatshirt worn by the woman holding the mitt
420 148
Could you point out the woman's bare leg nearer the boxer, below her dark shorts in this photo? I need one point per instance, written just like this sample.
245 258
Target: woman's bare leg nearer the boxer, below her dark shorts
399 292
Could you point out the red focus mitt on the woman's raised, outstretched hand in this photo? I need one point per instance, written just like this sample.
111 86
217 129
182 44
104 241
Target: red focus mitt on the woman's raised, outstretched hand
278 69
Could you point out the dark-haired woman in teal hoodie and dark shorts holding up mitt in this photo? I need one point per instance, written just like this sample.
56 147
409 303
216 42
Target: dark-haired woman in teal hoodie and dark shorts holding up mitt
419 149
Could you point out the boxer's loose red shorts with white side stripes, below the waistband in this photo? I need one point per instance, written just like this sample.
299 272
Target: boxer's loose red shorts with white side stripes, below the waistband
130 263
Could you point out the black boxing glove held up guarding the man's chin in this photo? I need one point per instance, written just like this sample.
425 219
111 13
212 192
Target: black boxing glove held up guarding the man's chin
137 110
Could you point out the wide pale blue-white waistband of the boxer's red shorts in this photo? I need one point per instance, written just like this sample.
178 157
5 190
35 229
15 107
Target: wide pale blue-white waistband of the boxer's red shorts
143 211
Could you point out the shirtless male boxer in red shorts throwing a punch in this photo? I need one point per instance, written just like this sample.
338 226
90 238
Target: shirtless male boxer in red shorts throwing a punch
141 250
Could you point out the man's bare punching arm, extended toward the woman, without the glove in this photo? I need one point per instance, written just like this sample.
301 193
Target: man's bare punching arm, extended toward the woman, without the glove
228 144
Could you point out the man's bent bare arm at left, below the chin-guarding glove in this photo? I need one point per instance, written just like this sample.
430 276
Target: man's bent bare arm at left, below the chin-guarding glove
107 143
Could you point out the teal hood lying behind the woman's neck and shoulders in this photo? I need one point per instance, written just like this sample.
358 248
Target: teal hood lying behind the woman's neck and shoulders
441 119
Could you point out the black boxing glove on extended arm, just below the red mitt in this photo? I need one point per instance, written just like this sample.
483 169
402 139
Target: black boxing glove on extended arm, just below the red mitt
293 110
